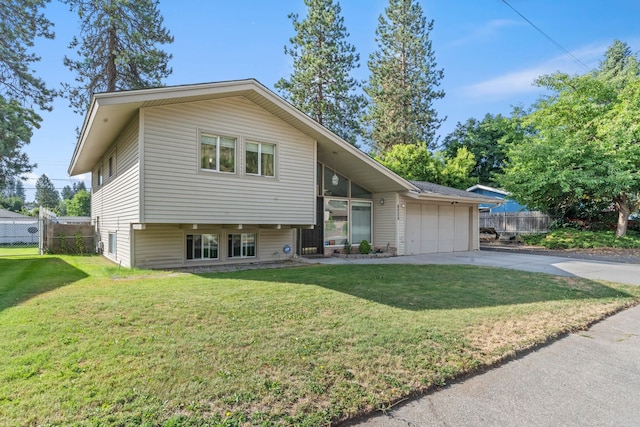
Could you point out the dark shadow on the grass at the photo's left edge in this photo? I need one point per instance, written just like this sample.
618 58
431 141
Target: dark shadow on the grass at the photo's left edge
25 278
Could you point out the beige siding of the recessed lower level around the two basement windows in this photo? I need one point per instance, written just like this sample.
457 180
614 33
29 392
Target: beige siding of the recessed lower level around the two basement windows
163 245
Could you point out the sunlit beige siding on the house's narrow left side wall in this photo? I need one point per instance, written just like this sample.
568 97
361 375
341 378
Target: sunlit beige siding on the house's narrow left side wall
115 204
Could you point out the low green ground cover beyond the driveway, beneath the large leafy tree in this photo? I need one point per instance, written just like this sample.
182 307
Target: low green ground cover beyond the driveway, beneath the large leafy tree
569 238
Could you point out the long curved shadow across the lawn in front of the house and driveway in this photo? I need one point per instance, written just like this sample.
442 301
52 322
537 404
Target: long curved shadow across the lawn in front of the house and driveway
435 287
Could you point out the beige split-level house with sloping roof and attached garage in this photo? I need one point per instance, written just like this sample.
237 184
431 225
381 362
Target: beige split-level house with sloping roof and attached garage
230 172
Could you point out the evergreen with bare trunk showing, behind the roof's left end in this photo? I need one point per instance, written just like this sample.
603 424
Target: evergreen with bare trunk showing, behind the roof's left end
118 48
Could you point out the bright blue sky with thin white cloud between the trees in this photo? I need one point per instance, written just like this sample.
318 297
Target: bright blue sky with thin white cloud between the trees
490 55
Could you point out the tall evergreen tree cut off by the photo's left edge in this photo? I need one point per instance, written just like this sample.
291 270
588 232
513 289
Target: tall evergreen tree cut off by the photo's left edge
20 90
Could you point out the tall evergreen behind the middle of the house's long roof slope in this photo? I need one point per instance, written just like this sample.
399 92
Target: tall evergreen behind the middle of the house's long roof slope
320 85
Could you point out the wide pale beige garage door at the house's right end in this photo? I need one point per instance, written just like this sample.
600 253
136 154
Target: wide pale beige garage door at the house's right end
436 228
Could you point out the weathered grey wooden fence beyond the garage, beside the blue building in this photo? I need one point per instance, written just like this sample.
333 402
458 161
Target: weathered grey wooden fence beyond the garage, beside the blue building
516 222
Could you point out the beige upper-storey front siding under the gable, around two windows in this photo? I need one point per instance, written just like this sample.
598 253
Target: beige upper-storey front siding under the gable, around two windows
177 191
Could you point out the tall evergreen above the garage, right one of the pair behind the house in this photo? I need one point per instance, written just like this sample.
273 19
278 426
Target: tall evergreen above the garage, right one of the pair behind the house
404 79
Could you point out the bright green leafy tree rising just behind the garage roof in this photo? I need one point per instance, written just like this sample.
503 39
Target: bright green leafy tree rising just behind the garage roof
416 162
